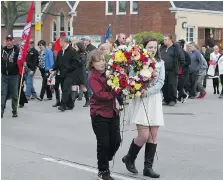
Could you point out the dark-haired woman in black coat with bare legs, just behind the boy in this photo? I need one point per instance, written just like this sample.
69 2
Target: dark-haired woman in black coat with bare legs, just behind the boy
79 76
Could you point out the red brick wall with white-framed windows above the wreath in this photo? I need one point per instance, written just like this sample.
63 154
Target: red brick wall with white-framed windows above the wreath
153 16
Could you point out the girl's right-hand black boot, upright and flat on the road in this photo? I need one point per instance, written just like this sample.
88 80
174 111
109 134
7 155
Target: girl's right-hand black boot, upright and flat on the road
150 151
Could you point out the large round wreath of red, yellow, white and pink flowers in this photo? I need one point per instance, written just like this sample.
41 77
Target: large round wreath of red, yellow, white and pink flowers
130 70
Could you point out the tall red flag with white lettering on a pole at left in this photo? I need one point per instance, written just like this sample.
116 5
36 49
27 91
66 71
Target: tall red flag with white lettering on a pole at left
25 39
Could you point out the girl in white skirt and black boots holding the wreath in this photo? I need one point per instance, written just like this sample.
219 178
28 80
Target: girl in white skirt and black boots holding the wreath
147 113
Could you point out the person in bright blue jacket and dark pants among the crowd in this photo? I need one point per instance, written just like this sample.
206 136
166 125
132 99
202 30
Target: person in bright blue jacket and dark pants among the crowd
46 61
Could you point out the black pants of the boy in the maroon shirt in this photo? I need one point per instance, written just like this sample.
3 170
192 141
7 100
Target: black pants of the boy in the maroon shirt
107 131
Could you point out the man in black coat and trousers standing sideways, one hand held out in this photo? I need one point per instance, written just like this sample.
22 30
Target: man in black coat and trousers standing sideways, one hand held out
65 63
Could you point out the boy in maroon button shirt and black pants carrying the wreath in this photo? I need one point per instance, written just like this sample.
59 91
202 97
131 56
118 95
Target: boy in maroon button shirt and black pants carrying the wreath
104 114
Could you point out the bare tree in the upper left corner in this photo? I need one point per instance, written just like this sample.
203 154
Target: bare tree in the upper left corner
11 11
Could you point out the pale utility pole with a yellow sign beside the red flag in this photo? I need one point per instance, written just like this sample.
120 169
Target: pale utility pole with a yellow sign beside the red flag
38 15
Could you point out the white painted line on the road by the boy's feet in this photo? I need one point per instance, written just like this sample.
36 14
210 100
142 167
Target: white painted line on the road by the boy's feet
85 168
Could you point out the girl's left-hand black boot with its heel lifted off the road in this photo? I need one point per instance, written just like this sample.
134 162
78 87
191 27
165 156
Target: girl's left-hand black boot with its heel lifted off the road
130 158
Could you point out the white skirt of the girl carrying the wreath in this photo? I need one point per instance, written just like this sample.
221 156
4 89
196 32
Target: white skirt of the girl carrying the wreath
152 106
